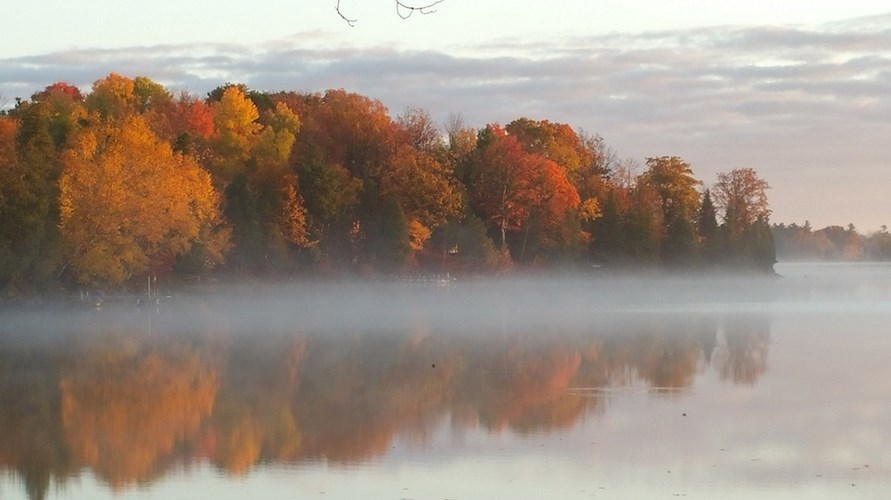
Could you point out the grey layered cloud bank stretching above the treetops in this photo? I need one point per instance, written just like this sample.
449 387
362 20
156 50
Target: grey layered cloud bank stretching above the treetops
782 99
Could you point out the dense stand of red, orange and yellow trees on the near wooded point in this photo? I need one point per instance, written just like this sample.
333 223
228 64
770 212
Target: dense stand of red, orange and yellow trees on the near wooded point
132 181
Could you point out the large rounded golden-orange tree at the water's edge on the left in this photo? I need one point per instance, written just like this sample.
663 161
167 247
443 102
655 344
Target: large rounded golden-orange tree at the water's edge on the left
130 203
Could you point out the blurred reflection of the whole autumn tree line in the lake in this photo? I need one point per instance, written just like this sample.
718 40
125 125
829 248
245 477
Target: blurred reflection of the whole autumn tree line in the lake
130 406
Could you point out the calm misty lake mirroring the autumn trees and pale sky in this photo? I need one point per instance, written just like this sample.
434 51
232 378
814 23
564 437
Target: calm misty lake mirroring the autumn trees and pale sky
585 386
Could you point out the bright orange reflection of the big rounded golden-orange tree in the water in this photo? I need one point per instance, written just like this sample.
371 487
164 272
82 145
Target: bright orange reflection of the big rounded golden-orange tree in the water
124 411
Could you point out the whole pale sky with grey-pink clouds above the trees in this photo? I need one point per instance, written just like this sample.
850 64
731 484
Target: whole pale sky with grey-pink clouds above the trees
799 90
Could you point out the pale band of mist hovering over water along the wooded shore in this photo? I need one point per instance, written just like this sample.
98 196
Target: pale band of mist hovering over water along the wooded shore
475 306
